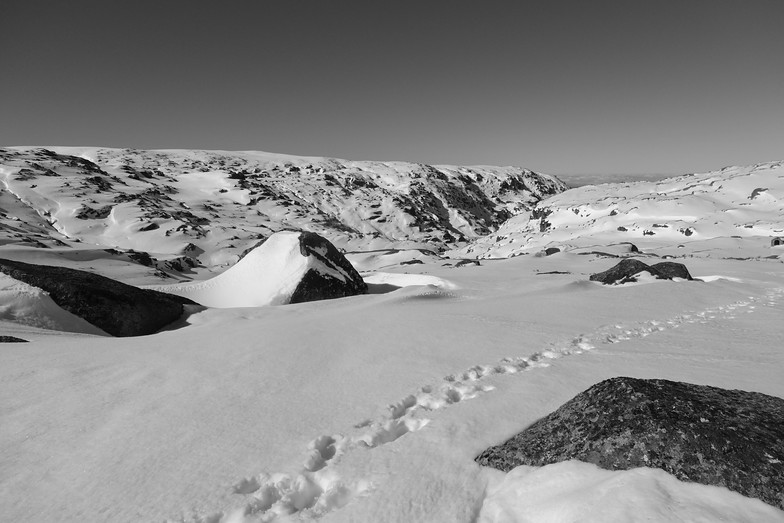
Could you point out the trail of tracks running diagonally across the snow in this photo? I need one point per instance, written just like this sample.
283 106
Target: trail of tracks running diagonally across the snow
317 488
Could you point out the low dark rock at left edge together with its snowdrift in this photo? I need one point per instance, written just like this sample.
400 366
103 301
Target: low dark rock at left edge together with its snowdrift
83 301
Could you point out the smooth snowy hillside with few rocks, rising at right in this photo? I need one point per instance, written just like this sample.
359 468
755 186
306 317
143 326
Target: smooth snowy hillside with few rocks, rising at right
742 202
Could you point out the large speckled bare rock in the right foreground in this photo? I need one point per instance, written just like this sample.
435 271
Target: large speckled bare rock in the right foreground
708 435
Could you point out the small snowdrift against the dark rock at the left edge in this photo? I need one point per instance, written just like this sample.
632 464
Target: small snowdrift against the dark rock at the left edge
28 305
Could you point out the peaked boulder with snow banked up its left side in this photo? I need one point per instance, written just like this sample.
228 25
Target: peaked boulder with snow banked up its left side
289 267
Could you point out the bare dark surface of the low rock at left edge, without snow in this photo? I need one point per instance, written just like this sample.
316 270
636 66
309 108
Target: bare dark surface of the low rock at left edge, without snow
117 308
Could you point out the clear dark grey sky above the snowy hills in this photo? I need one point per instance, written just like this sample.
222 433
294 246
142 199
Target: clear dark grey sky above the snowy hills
561 87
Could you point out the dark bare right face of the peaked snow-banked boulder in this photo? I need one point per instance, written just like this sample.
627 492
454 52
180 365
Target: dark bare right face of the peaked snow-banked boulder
315 285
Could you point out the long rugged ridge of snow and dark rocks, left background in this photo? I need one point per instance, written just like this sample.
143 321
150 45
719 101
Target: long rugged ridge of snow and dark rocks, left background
221 203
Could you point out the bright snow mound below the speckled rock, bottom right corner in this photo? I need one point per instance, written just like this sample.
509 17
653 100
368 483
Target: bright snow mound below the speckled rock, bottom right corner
577 491
